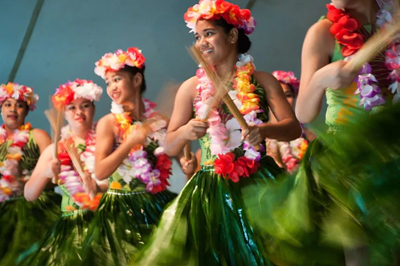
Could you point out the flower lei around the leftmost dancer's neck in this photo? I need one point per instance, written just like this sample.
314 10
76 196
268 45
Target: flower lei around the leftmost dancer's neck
10 182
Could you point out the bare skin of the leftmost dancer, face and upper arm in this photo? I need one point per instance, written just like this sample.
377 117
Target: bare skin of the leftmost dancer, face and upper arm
13 113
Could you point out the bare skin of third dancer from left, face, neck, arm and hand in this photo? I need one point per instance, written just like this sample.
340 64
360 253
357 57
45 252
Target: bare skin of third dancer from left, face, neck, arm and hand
124 89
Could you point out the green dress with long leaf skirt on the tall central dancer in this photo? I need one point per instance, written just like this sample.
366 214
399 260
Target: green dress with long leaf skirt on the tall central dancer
207 223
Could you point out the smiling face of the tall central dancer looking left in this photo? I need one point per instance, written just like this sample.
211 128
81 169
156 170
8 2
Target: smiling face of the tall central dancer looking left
213 42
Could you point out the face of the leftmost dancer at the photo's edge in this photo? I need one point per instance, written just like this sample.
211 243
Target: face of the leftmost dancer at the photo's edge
14 113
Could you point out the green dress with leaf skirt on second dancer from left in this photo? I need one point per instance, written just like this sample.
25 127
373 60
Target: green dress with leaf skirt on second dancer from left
62 245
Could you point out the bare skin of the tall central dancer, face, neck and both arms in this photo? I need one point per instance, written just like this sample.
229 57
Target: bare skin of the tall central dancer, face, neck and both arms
220 51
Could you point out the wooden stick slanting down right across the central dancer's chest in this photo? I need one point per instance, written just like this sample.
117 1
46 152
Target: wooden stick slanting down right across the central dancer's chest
221 86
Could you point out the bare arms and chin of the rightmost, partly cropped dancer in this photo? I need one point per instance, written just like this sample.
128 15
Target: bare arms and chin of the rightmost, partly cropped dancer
317 73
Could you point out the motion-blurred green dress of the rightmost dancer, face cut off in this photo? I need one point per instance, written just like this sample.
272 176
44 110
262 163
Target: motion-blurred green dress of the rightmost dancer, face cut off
345 194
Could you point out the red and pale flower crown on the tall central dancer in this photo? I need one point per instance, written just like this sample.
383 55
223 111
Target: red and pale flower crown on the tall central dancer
215 9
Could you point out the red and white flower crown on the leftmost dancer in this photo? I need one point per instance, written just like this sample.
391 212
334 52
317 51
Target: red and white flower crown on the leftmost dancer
20 93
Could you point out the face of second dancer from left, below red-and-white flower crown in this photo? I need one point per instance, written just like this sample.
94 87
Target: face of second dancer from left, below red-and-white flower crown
79 113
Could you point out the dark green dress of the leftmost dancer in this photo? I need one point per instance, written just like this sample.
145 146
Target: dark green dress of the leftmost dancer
23 223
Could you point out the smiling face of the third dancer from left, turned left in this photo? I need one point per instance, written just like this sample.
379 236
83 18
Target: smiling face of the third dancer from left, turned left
122 87
